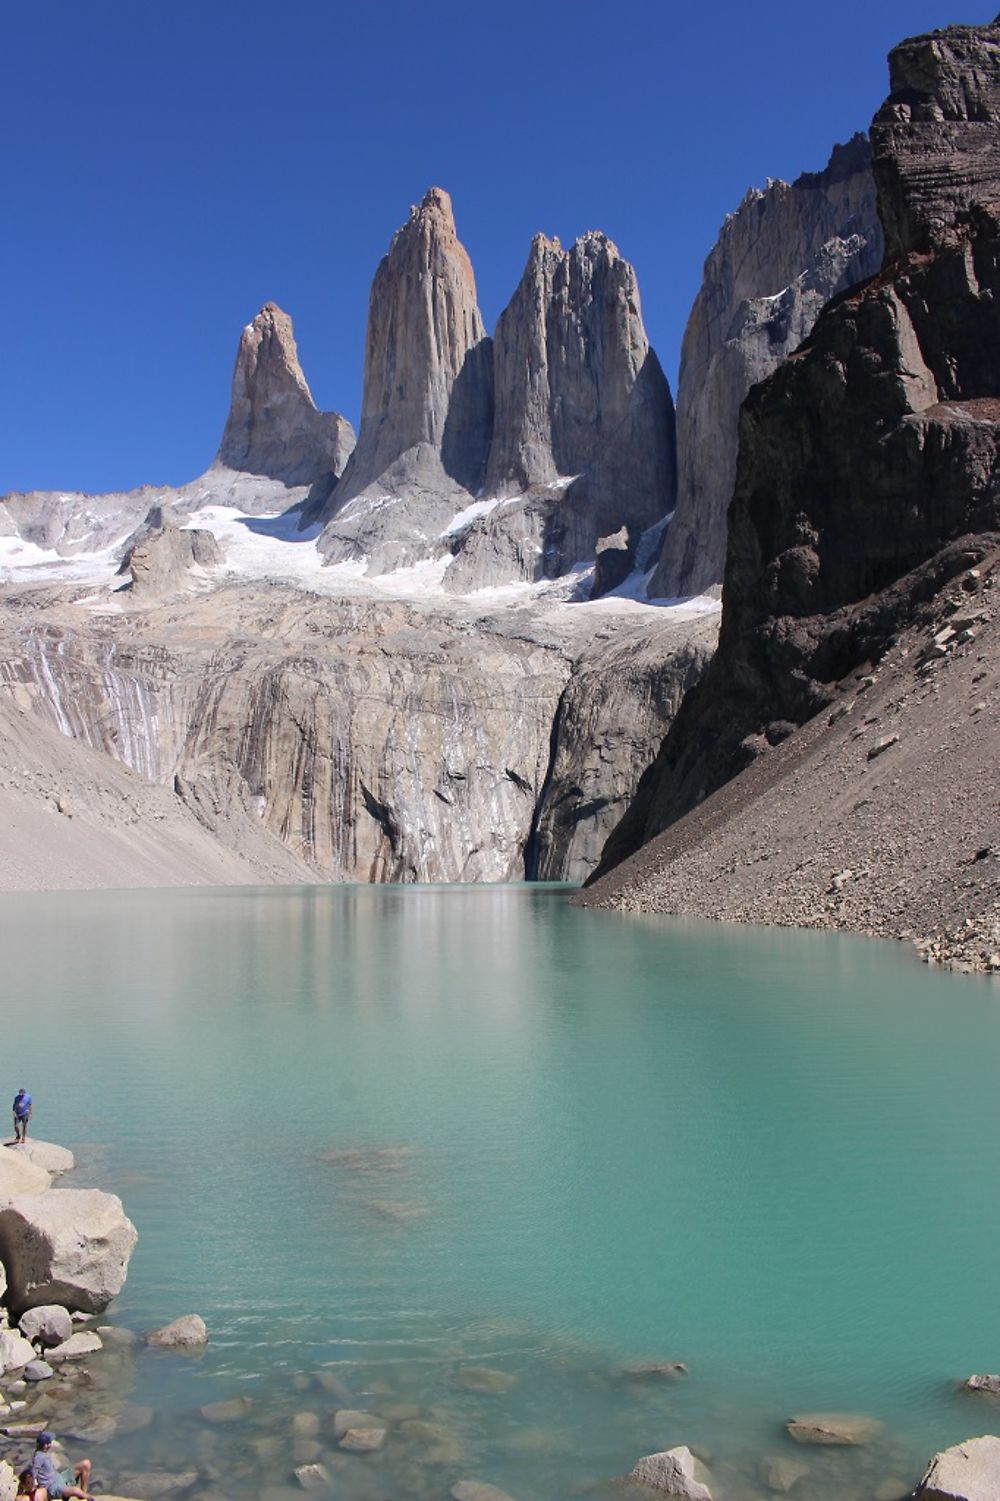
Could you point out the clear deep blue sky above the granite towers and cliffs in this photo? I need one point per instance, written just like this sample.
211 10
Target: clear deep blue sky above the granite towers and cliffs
169 166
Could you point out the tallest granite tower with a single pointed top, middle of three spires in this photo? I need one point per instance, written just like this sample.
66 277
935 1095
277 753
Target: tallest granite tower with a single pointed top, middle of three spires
427 412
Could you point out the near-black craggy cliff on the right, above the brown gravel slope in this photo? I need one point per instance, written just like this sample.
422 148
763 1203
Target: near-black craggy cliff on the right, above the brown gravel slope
867 478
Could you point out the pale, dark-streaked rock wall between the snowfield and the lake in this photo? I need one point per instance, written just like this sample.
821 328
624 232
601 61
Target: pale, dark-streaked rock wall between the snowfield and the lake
372 739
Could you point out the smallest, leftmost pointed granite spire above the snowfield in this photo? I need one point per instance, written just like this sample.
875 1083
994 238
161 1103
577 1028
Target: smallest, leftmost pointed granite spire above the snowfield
274 427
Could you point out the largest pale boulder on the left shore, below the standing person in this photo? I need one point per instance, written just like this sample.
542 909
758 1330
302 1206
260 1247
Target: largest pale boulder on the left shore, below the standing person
67 1247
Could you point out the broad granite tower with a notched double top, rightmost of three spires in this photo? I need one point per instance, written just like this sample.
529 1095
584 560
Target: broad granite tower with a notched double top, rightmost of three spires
583 439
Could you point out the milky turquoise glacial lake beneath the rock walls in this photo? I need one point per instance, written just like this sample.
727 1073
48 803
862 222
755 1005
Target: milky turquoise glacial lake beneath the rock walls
390 1134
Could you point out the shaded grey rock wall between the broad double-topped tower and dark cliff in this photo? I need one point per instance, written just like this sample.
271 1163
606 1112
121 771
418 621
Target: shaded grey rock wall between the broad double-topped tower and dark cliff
786 251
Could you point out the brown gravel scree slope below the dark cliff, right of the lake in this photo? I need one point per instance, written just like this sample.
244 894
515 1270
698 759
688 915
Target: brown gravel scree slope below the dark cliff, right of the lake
882 817
